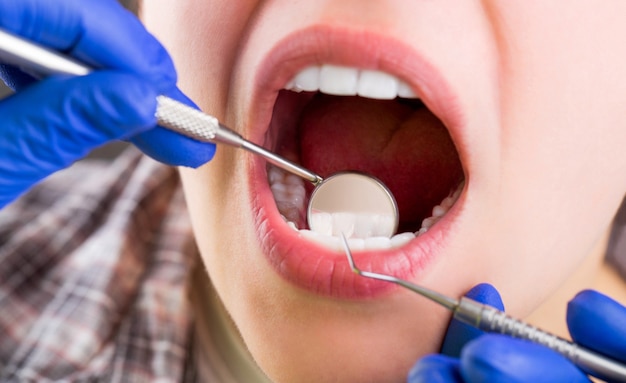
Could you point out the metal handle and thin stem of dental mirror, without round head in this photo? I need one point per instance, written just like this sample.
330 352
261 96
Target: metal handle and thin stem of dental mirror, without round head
40 62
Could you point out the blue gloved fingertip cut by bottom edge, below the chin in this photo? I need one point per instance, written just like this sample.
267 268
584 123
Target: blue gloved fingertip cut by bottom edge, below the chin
436 368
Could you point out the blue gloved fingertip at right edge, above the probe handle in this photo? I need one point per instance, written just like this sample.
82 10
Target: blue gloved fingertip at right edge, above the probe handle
598 322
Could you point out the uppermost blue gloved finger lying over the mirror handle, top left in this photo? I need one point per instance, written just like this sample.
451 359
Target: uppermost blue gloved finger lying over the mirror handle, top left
100 33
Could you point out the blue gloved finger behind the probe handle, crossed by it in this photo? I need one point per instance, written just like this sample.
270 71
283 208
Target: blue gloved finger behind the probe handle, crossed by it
459 333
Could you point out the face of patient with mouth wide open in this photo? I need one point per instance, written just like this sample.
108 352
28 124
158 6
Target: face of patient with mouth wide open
531 94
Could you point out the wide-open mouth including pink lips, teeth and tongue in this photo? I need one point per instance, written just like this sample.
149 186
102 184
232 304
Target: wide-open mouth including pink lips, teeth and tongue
341 113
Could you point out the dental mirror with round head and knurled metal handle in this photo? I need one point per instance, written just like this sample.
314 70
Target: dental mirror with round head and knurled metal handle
367 195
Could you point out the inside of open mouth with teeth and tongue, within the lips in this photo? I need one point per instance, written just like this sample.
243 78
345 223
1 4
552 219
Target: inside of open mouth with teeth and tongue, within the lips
334 118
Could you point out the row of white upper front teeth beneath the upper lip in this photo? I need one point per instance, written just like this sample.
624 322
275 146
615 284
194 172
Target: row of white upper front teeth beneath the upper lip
348 81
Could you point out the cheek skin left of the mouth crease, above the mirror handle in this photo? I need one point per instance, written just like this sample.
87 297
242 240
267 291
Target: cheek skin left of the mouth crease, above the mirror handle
202 37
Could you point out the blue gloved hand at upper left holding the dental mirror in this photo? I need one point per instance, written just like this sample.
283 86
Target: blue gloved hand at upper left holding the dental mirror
49 124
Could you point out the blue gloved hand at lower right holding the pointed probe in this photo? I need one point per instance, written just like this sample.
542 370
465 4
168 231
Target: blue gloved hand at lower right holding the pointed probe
594 320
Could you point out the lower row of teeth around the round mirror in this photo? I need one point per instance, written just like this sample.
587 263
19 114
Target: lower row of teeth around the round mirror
290 196
